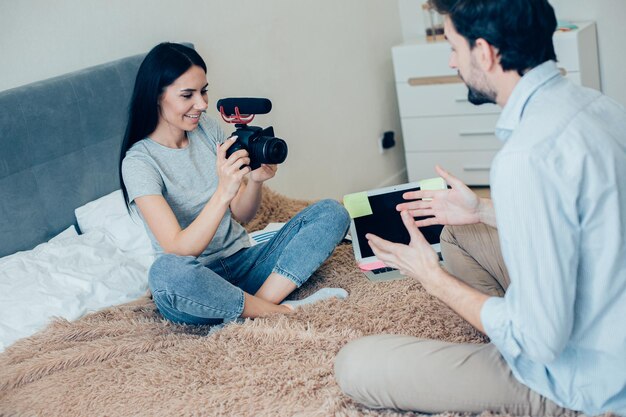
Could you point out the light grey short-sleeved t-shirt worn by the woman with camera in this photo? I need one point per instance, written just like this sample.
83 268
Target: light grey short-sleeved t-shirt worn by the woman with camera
187 179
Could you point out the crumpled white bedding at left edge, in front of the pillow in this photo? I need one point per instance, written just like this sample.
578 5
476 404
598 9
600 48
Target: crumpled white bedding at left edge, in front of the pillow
66 277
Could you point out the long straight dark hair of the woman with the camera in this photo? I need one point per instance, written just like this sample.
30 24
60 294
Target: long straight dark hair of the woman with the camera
160 68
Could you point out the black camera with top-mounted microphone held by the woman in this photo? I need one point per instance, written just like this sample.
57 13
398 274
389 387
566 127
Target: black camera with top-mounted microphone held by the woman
262 146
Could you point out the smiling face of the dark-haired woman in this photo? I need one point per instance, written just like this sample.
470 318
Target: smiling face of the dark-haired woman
183 101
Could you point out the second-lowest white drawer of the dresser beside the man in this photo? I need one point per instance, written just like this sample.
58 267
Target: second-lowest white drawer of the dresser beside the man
462 133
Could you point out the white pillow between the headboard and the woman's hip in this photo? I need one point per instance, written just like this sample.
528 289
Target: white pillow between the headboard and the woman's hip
108 214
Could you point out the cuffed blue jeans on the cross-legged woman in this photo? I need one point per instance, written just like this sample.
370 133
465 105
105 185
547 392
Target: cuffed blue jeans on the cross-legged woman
186 291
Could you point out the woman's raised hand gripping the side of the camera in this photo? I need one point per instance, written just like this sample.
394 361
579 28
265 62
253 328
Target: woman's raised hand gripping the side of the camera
231 170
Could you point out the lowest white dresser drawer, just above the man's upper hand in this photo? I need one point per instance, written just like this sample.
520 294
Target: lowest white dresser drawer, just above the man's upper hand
471 167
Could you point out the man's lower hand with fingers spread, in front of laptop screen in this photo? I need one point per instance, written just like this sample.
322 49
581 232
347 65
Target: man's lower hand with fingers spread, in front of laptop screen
416 260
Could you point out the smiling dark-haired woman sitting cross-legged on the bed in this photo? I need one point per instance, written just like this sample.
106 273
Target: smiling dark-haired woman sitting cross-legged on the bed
175 174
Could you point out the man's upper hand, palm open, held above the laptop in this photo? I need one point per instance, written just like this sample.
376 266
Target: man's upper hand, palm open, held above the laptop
456 206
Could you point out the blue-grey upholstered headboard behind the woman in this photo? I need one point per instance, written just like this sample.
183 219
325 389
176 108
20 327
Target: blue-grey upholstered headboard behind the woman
59 149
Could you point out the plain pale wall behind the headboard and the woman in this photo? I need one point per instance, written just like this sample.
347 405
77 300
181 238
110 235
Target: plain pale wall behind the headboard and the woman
325 64
